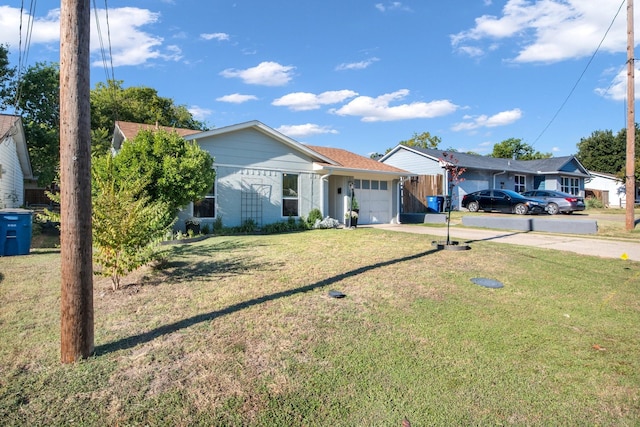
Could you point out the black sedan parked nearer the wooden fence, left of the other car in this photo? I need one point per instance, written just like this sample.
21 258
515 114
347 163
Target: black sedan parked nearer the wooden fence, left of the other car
504 201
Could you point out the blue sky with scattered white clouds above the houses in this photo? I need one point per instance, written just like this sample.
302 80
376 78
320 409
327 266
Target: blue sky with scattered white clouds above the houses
363 75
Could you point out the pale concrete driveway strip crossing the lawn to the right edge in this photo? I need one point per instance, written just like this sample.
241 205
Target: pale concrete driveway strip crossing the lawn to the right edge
605 248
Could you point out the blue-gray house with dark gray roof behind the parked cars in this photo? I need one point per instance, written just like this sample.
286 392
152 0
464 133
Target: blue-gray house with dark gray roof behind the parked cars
555 173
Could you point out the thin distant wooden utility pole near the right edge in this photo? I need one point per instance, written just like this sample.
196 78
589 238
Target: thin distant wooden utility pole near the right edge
630 181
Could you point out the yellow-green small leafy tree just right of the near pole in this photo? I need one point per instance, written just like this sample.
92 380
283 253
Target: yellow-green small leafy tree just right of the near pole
126 224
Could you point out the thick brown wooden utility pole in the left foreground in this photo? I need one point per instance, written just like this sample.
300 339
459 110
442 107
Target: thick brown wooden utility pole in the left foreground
76 306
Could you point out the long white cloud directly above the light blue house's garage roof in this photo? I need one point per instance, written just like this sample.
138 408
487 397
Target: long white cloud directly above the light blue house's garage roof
379 110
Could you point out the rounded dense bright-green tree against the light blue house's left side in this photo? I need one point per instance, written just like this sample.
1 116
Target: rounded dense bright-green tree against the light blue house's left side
176 171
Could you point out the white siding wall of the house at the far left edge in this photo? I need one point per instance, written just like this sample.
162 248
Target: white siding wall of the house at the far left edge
11 175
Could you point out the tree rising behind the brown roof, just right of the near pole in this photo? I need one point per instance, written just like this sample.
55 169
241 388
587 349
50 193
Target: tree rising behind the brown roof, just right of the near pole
111 102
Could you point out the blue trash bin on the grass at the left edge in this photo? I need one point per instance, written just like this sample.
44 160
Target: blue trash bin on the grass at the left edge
15 231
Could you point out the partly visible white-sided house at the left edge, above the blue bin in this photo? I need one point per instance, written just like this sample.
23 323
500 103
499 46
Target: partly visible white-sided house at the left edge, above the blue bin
15 166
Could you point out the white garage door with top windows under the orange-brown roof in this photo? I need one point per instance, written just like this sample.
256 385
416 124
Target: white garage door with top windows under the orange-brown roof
374 198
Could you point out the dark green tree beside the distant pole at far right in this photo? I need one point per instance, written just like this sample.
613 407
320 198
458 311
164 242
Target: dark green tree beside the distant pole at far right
604 152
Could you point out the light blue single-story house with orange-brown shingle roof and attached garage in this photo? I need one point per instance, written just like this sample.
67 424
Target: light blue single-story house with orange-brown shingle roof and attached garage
265 176
